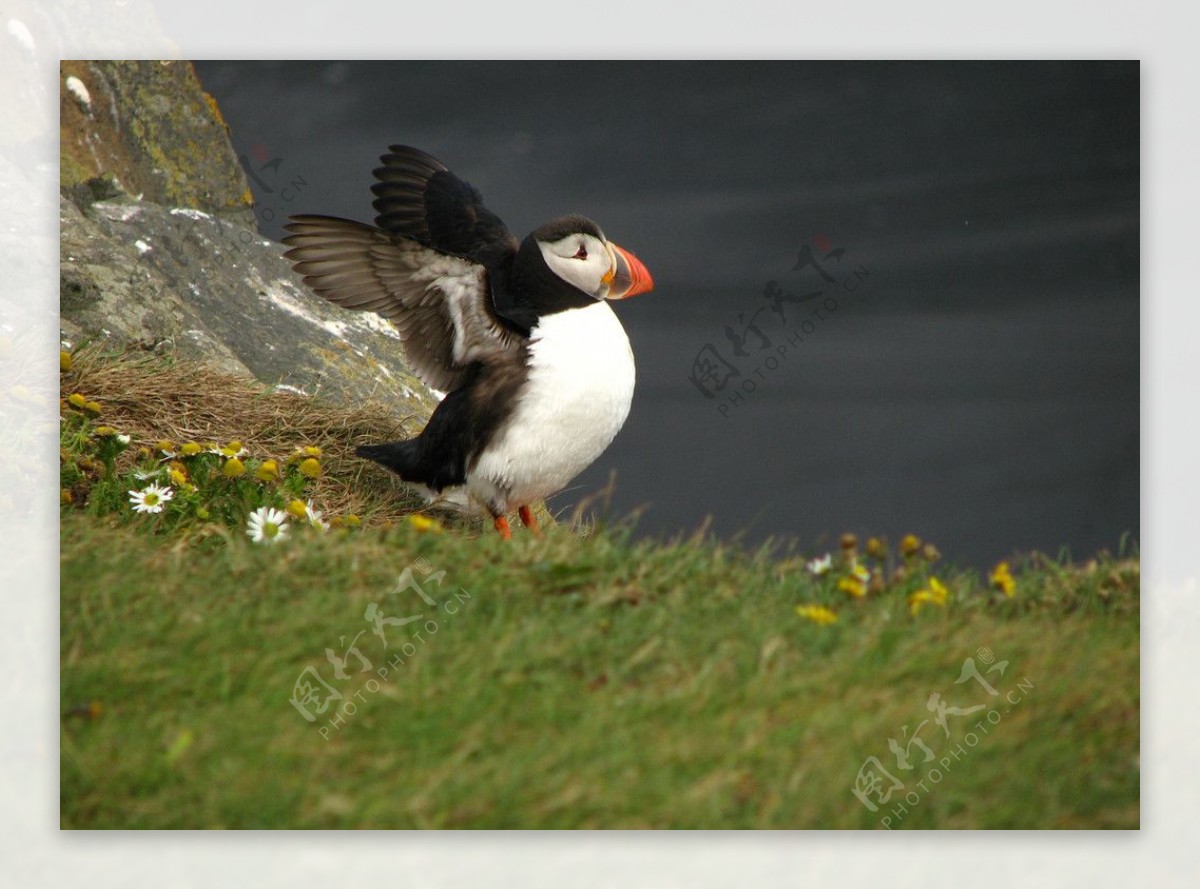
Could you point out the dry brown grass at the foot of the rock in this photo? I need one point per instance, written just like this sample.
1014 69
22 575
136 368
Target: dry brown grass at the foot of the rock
152 399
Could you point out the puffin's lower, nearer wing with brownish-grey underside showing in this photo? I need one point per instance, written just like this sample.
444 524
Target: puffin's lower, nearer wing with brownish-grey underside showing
440 304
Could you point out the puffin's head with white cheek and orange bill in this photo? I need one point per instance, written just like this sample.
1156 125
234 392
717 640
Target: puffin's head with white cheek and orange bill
569 263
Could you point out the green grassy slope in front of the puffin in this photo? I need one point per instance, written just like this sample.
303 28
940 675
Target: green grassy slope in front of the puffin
587 683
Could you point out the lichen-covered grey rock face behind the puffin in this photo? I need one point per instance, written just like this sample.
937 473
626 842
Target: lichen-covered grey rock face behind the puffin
160 252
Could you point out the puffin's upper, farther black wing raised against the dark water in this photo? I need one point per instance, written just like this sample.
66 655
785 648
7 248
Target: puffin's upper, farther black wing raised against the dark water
419 199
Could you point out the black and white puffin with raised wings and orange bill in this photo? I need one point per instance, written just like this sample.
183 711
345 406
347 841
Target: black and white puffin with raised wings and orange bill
537 370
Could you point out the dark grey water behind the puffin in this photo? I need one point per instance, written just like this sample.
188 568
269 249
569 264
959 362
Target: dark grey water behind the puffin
980 387
